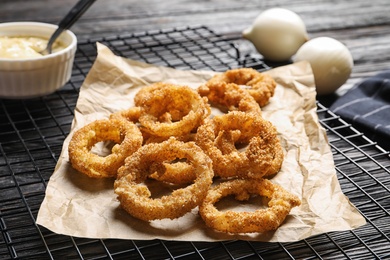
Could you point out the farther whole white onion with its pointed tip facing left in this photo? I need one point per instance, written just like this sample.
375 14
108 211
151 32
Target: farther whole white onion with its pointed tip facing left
277 34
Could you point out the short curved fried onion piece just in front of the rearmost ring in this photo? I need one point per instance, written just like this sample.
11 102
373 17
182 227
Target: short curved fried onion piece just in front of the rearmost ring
231 96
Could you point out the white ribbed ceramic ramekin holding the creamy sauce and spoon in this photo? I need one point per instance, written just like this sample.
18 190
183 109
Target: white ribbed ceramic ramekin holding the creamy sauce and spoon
33 77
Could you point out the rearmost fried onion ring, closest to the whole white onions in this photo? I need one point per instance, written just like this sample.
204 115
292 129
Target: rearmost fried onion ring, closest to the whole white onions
259 85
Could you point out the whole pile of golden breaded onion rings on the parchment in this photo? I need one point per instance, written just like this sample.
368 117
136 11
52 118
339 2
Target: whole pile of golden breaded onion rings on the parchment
170 136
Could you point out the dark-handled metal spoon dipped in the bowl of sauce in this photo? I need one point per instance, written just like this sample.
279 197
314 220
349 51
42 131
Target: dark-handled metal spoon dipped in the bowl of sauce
74 14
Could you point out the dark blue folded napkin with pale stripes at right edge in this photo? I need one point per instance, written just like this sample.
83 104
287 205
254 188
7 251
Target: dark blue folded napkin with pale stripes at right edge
367 107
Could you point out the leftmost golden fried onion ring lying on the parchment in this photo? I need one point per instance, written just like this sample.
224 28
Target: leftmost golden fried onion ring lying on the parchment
126 135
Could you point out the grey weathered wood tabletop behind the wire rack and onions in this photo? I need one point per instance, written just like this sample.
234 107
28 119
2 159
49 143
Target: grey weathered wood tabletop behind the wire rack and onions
363 26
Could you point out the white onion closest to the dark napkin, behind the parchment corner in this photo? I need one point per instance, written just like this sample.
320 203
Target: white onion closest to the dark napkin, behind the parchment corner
330 60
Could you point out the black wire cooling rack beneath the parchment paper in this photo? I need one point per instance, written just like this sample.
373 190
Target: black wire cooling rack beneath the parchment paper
32 133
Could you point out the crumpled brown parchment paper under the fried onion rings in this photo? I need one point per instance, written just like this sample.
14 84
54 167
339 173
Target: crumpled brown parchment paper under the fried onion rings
80 206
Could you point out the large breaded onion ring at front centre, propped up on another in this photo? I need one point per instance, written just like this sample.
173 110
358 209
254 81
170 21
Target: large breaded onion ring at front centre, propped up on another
136 198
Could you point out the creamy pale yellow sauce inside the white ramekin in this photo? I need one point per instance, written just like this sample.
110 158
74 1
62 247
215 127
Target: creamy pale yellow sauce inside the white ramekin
25 47
